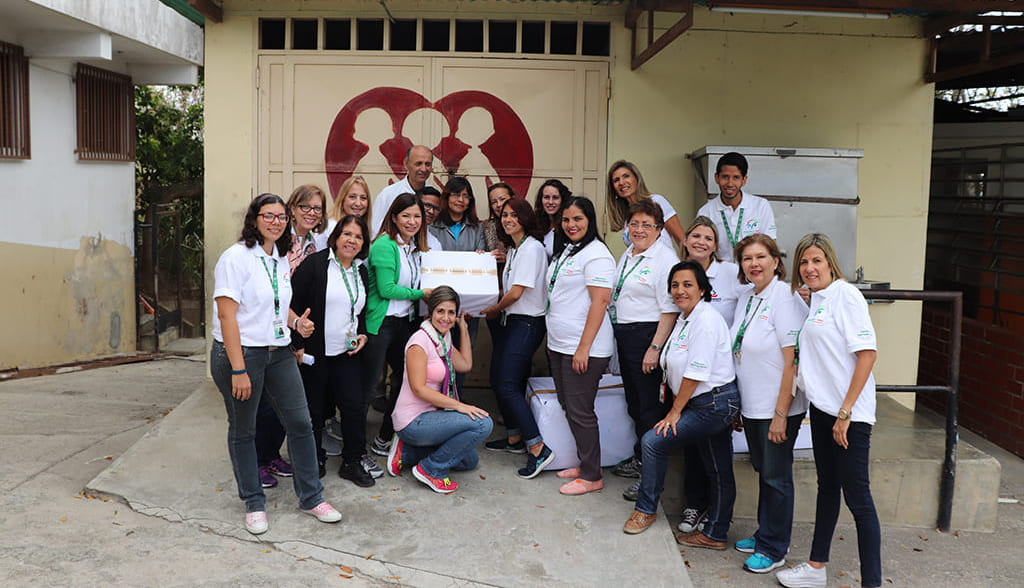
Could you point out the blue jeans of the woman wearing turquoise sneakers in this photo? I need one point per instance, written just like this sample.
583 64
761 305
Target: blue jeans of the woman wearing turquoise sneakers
774 463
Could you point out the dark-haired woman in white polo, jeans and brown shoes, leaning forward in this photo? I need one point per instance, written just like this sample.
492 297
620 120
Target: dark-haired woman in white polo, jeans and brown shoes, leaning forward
701 384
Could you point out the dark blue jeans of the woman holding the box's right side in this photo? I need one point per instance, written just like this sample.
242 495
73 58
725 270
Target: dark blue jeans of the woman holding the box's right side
514 356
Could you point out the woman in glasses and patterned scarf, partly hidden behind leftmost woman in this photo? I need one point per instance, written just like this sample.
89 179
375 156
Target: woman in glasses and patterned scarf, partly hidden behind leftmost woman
307 211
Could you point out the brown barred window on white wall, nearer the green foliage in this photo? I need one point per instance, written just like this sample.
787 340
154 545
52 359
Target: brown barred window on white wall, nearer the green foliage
106 113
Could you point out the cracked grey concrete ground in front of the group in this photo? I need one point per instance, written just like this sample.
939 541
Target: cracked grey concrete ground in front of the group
60 433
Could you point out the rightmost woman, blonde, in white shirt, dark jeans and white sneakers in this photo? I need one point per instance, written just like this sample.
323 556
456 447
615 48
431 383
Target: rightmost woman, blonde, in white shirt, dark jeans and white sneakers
836 352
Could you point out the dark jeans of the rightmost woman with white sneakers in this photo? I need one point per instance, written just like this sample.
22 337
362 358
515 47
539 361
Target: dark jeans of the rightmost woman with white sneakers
846 471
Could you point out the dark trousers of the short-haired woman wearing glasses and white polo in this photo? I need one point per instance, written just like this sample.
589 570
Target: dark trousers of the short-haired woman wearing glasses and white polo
643 391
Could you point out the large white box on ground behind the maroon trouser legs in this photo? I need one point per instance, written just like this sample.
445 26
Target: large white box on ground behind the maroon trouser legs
614 421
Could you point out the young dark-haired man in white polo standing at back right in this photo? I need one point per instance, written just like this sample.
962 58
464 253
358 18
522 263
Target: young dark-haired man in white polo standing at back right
737 215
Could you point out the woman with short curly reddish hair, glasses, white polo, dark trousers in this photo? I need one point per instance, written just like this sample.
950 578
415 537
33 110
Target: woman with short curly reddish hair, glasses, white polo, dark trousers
643 316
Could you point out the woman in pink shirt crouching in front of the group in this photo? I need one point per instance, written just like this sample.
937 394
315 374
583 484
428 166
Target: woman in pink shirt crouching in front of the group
436 432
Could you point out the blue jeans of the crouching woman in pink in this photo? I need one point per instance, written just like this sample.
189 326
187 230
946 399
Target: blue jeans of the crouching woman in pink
442 441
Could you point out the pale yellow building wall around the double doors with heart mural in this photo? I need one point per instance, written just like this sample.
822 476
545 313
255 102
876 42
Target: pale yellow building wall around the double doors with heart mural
753 80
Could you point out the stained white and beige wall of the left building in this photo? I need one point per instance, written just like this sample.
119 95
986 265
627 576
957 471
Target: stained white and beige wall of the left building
66 240
